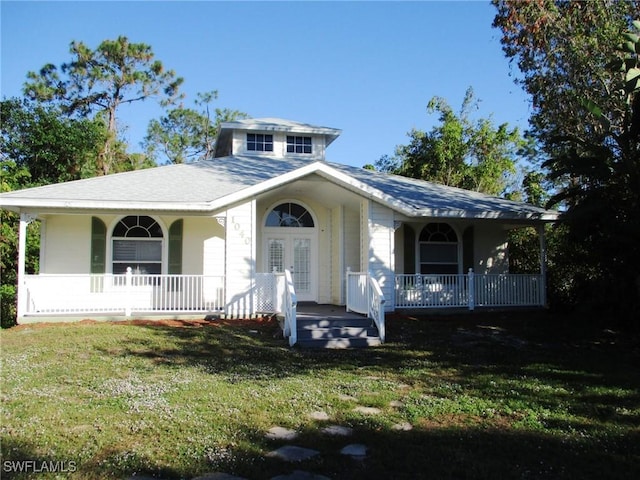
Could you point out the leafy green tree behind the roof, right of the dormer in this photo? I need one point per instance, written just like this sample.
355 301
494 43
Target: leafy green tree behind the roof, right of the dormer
459 152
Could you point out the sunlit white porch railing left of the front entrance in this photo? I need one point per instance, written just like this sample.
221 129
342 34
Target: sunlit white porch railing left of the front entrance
49 294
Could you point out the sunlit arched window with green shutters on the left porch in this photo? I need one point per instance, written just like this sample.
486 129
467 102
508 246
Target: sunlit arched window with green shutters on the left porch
137 243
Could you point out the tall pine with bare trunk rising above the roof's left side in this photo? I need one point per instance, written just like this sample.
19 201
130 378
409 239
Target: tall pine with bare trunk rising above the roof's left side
100 81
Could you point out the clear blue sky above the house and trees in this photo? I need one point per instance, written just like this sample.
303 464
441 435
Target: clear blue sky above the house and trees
368 68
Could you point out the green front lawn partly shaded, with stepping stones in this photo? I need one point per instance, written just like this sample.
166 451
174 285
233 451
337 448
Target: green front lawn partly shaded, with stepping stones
488 396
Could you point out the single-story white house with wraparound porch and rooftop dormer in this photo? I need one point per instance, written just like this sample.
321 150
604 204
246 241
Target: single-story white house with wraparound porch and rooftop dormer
217 236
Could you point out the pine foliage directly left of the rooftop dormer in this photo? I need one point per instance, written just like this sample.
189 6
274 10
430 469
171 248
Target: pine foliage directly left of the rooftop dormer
187 134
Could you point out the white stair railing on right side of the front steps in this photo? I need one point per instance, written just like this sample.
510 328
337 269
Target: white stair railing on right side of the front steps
365 296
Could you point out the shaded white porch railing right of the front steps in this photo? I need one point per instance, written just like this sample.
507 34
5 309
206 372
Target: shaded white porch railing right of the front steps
469 290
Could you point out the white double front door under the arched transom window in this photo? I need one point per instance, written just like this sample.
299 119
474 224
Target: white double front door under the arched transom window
296 252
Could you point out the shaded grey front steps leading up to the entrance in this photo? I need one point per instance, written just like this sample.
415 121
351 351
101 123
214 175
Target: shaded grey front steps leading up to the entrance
351 332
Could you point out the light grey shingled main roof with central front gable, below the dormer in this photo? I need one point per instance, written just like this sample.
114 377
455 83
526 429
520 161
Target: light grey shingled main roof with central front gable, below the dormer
212 185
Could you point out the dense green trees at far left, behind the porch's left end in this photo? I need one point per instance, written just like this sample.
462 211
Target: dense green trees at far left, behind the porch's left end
38 146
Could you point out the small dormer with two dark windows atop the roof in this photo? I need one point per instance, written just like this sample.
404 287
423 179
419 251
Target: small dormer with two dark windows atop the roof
275 138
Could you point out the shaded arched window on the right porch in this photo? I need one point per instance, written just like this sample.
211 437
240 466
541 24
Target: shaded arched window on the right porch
438 245
